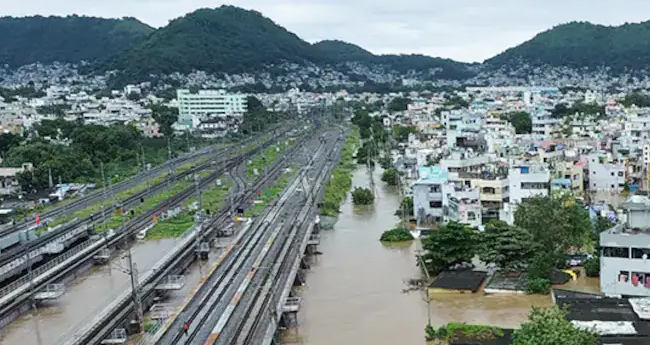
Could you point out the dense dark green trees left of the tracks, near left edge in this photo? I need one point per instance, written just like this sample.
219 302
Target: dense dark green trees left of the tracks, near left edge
117 147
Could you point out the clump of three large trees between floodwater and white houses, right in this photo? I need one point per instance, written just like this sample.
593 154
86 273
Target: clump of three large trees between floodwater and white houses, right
545 230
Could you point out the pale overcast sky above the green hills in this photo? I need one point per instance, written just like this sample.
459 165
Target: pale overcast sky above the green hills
465 30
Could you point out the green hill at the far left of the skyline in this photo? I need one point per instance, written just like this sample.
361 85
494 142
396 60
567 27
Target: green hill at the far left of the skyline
29 40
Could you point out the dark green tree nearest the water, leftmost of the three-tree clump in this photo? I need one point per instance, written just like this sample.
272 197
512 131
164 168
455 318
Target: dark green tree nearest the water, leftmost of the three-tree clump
451 244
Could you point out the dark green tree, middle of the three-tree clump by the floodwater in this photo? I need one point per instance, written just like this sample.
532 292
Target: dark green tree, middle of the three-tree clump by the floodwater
508 247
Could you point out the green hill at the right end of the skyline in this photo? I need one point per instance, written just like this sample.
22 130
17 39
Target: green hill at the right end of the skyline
582 44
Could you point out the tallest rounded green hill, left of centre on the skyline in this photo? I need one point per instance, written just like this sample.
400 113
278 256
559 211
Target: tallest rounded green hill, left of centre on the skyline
226 39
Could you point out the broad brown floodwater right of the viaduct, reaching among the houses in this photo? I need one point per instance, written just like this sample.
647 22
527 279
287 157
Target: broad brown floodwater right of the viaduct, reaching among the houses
353 293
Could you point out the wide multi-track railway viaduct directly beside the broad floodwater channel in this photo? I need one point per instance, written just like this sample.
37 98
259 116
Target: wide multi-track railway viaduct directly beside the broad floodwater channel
218 311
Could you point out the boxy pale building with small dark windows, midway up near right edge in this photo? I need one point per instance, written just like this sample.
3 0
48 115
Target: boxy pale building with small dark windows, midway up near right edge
605 173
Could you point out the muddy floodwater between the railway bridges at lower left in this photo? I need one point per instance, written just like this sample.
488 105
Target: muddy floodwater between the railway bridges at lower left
84 298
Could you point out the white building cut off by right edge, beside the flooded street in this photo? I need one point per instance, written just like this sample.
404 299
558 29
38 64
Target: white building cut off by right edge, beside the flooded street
625 249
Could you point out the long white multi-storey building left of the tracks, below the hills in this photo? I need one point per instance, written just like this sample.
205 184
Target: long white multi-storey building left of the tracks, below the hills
209 104
